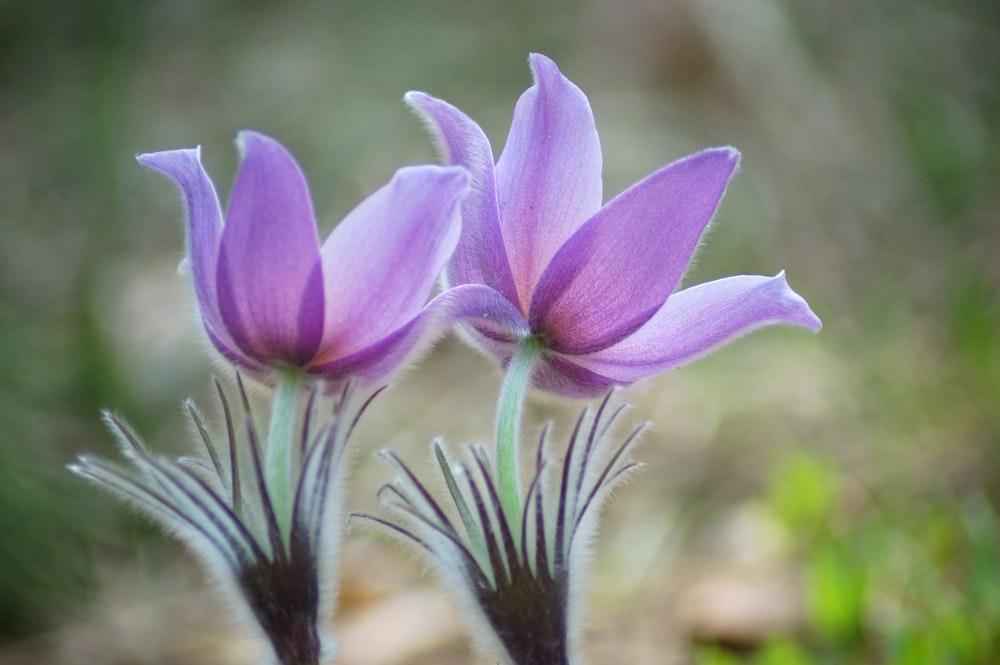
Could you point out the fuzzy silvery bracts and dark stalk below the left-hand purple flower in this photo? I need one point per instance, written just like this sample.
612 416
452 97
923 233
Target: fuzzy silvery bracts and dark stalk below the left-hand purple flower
223 503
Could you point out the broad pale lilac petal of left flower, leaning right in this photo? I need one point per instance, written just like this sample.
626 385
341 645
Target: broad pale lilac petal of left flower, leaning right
380 264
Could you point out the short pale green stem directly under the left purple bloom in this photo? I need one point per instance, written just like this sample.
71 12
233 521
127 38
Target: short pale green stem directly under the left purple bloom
277 456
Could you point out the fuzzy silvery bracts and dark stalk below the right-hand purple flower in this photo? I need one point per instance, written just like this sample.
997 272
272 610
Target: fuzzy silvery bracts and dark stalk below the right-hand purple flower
521 581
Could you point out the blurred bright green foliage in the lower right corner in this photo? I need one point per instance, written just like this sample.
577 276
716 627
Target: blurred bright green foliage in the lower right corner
902 586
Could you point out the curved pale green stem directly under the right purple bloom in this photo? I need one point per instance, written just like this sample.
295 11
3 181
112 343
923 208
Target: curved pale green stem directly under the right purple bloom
510 408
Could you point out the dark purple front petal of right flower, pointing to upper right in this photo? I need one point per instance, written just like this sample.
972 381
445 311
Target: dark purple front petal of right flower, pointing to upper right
614 273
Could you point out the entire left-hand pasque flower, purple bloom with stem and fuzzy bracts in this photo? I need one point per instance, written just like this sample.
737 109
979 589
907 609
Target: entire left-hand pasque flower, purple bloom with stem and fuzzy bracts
264 511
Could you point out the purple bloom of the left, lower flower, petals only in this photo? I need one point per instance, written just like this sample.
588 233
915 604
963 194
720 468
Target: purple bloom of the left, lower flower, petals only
271 296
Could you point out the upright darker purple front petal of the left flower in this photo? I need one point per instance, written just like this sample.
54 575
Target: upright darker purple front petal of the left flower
269 278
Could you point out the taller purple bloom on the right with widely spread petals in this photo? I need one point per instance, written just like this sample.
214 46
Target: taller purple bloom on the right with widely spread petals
593 286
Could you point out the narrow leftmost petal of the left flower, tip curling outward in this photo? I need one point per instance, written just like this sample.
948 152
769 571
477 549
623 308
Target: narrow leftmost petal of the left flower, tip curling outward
203 229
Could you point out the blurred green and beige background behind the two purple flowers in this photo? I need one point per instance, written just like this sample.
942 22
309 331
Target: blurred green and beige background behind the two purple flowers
806 499
